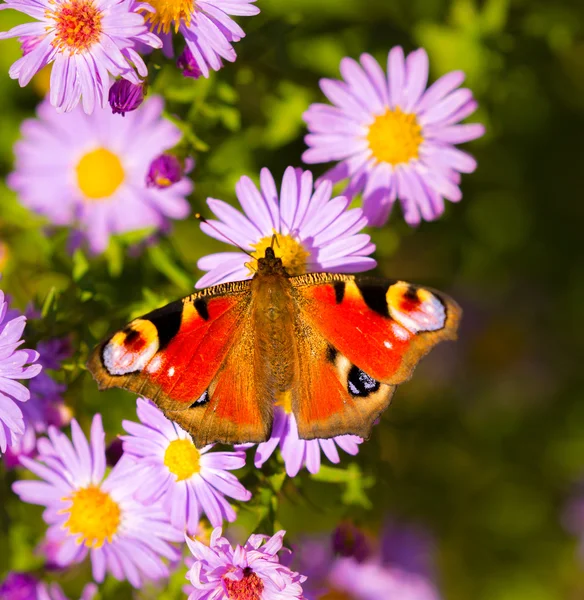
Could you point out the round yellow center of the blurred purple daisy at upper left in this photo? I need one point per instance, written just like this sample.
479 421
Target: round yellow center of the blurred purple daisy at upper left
99 174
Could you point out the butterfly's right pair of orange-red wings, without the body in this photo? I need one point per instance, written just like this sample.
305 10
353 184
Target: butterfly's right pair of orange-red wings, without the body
362 337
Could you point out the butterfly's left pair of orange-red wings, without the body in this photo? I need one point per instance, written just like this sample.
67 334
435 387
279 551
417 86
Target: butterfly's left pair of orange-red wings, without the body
184 357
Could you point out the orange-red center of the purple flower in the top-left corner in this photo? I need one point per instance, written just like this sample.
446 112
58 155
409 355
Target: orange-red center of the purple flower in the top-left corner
78 25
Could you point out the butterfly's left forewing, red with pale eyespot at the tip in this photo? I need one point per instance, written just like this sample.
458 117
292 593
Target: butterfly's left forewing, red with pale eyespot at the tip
172 354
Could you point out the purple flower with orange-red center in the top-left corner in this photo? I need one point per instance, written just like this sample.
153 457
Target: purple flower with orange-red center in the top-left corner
88 41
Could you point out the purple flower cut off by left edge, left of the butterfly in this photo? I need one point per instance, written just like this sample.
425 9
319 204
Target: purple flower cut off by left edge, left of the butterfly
13 365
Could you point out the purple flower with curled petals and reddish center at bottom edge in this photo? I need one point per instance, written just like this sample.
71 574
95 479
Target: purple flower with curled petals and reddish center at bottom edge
249 572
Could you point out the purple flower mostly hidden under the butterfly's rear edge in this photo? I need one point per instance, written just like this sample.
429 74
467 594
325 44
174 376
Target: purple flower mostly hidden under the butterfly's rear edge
298 453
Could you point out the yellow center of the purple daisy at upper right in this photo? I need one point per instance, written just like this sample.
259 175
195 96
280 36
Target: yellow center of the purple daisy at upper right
395 137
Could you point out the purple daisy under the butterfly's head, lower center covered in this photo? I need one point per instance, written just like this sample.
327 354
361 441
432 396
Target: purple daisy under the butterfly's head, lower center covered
314 232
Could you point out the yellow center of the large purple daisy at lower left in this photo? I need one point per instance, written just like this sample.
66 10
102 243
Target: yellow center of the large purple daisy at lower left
93 516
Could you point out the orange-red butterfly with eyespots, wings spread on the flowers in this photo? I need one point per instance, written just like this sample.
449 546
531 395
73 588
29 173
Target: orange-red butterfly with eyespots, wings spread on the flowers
329 347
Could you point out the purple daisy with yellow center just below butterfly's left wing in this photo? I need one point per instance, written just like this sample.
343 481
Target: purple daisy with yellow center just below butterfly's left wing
186 481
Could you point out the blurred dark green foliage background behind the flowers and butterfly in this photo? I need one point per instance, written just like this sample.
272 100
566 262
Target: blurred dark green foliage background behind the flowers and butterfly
485 444
